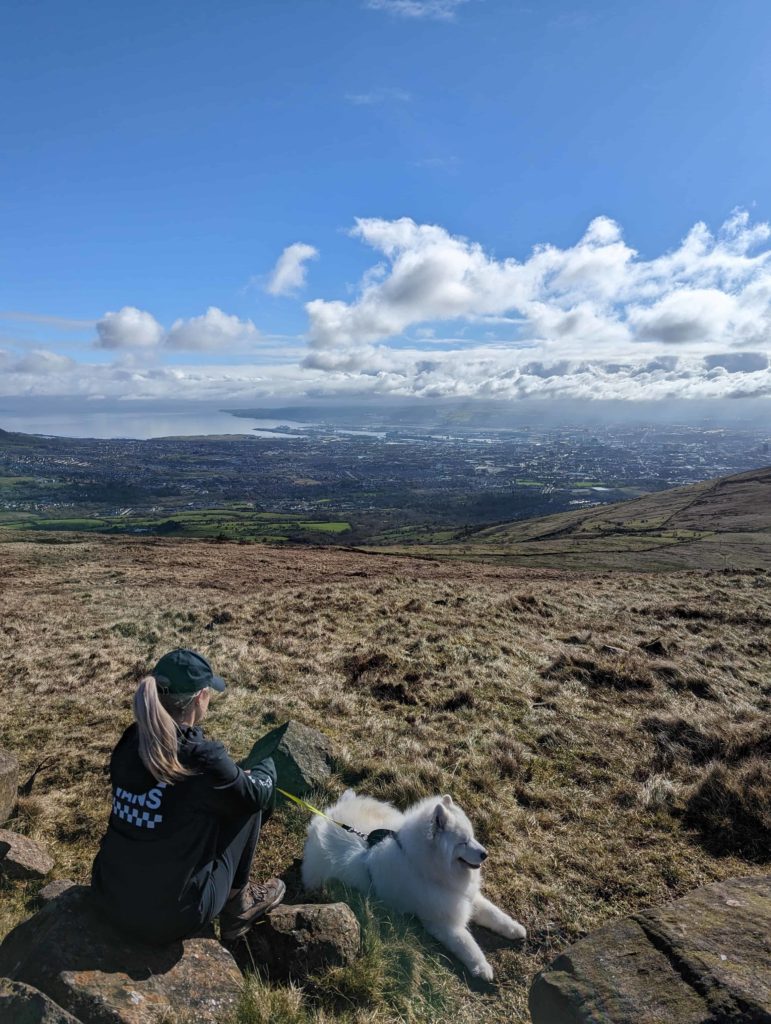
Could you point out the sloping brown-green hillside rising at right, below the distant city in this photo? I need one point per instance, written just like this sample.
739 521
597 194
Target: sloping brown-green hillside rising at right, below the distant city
724 524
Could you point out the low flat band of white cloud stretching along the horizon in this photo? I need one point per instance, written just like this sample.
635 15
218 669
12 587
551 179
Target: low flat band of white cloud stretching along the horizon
487 372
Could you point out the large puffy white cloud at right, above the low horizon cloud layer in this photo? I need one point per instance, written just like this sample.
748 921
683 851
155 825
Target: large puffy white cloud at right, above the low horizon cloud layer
596 295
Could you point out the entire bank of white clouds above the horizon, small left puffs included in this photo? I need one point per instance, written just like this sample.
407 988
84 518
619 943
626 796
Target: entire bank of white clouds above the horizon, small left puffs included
438 316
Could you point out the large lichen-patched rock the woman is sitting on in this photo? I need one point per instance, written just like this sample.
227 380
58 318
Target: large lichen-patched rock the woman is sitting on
72 954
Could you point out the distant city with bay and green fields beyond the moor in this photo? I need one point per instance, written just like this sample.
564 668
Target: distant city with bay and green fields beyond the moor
324 484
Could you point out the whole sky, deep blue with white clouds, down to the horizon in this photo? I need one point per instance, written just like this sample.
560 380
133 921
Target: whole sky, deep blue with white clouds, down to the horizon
158 159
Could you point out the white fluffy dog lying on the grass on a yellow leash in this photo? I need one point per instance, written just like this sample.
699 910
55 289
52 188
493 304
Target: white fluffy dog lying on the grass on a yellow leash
430 867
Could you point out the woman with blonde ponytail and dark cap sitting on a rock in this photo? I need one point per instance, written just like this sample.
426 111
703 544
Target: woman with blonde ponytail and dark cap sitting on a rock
186 819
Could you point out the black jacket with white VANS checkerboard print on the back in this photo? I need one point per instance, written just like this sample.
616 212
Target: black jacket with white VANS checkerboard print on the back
162 840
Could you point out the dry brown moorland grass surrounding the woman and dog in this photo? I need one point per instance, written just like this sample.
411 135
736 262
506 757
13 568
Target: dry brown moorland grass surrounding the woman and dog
601 730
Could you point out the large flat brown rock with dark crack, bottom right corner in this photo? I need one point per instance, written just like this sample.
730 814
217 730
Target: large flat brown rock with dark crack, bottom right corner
701 960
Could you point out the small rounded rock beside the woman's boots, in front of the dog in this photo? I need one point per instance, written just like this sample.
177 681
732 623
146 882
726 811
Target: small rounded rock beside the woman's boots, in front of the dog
293 943
